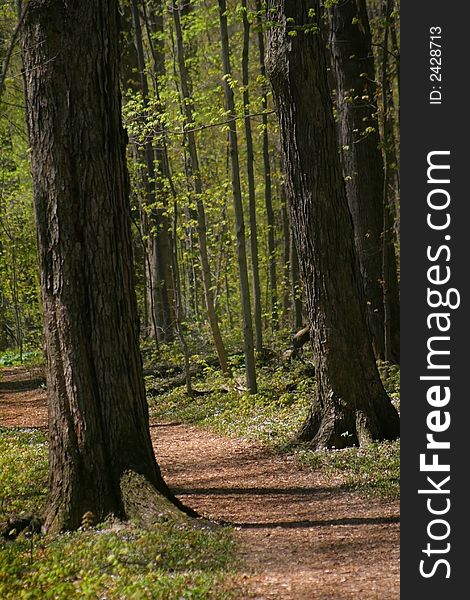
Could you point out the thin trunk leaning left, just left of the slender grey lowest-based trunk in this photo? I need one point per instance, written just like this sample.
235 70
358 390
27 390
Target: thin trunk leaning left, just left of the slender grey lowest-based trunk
196 183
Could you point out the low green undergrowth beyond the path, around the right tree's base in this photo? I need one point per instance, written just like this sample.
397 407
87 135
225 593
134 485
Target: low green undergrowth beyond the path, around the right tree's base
274 415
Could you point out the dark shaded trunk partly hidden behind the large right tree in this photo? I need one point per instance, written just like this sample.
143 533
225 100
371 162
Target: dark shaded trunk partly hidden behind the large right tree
358 128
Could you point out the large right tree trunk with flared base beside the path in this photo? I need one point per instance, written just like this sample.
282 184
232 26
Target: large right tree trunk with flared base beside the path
350 405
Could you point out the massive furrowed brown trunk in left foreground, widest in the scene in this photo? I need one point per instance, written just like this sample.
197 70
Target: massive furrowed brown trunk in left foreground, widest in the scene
98 415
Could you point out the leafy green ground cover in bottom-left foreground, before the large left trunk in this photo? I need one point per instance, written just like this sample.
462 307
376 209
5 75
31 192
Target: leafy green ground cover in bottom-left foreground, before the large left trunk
119 561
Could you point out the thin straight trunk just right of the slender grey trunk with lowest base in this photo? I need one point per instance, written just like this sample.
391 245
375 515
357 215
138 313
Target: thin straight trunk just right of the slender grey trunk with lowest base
251 184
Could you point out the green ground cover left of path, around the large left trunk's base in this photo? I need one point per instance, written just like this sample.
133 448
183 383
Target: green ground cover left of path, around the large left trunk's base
115 560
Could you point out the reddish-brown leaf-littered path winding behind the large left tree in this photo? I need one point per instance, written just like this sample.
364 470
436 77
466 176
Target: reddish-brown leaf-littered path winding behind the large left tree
301 533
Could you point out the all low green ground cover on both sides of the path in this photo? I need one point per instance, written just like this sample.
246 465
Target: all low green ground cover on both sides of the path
173 560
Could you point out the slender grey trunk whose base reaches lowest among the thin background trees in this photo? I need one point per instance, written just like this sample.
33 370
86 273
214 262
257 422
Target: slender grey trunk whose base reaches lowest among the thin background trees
238 206
